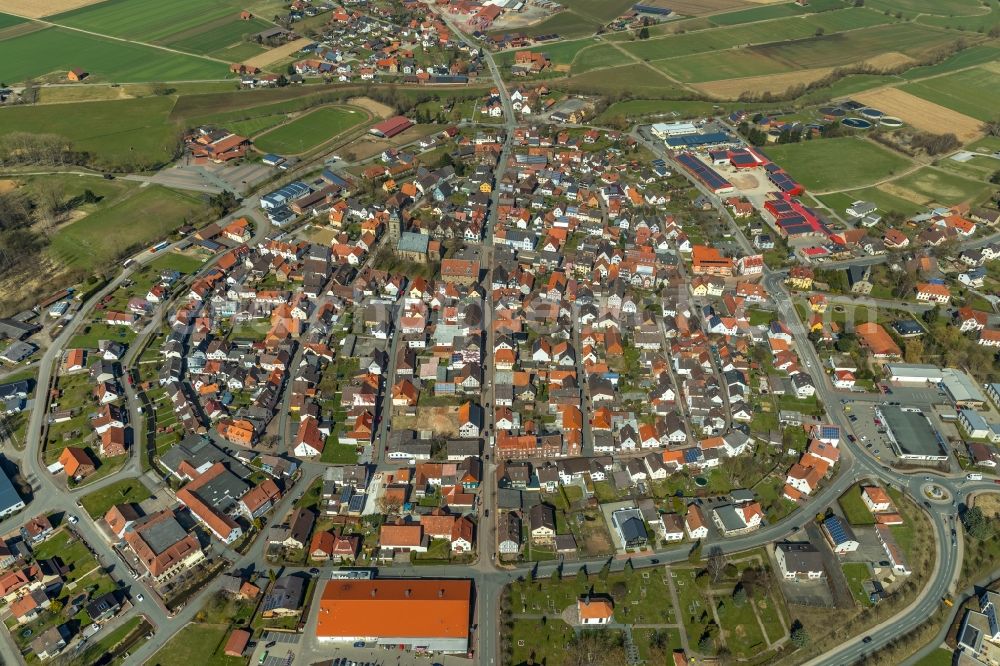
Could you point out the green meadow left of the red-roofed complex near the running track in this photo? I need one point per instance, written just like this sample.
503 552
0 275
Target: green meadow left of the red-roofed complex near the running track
131 133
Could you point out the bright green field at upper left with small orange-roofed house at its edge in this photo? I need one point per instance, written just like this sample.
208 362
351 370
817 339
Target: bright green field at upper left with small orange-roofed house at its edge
57 50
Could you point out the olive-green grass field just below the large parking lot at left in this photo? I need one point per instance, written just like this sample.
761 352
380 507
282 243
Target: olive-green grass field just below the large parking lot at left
150 214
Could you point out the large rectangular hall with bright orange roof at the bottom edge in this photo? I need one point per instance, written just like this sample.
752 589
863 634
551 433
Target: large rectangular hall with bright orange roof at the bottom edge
425 615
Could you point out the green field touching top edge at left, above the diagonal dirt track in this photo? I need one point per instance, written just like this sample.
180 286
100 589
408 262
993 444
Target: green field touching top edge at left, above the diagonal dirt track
147 20
